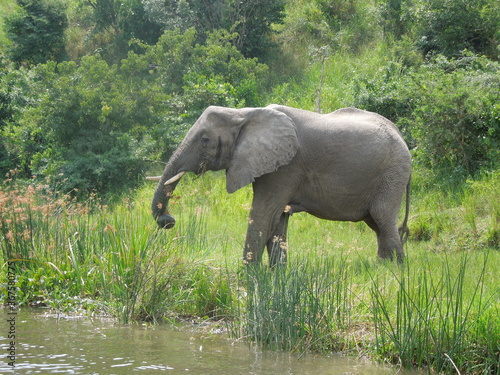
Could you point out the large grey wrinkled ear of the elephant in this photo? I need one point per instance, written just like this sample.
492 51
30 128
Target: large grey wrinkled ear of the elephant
267 140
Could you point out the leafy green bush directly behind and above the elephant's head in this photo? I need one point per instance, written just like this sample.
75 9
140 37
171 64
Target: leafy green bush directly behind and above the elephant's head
197 75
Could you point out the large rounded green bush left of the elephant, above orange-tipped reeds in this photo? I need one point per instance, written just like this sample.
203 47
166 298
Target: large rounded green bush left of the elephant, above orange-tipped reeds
84 127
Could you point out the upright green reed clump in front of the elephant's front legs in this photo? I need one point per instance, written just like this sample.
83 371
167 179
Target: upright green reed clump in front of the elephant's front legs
304 306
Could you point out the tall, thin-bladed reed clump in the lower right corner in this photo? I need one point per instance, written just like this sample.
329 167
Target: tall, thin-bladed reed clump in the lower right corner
435 318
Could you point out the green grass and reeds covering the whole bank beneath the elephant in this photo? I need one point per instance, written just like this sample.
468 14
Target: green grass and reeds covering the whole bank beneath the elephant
439 311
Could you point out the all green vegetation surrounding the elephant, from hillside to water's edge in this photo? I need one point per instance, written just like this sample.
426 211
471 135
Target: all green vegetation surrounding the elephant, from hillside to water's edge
113 86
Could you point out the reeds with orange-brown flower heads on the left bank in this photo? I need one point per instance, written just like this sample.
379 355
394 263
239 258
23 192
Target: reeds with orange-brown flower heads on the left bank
78 256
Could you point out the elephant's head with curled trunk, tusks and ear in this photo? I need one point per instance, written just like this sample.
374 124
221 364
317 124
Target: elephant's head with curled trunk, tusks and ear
247 142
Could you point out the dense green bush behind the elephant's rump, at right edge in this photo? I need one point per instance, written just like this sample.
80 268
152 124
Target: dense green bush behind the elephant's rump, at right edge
448 111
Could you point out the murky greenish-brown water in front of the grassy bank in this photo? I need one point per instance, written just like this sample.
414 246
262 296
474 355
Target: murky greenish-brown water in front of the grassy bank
46 344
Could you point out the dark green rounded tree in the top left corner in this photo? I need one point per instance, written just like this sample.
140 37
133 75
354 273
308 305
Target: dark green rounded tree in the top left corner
36 31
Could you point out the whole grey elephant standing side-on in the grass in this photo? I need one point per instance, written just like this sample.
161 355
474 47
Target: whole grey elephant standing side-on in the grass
349 165
